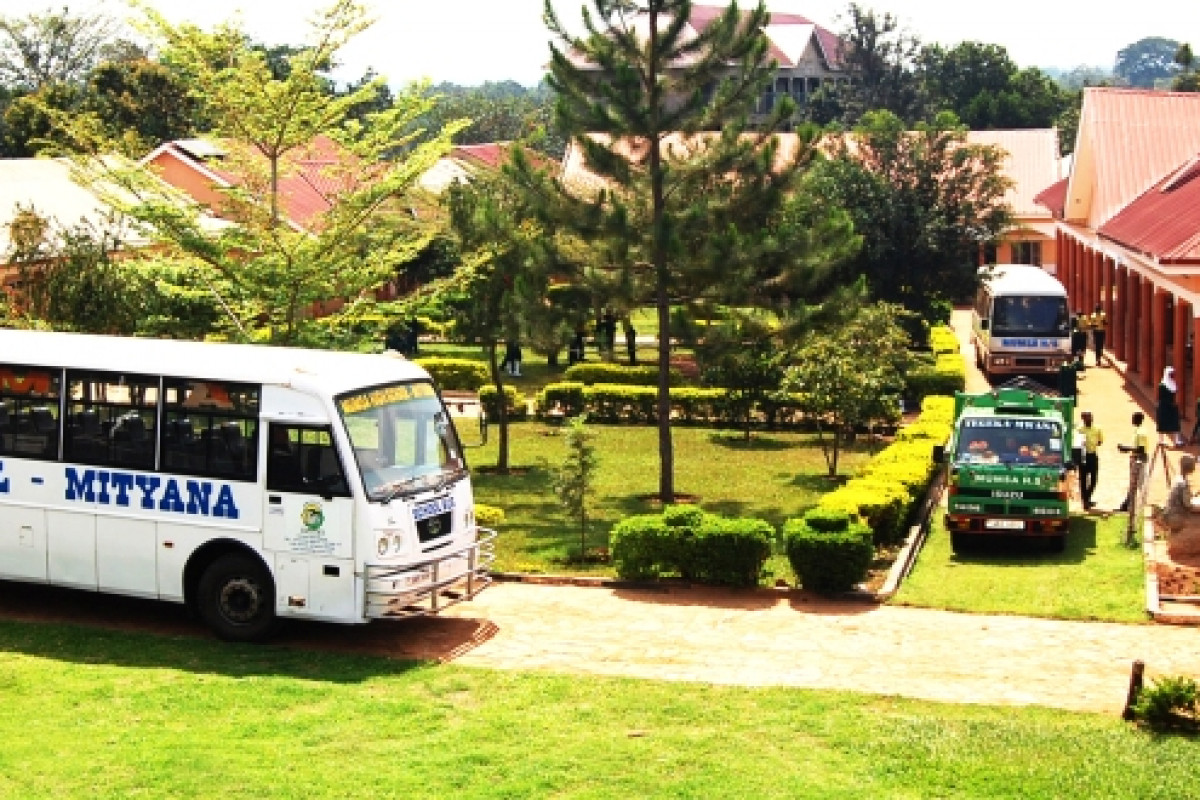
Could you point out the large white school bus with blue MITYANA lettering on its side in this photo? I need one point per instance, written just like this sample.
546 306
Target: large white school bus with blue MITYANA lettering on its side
254 484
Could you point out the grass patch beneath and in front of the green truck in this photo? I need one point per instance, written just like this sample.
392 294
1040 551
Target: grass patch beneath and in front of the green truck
1097 578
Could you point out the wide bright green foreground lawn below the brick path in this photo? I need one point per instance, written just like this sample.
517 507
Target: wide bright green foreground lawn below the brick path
101 714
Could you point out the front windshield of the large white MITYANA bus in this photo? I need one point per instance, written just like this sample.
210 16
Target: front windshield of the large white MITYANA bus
403 438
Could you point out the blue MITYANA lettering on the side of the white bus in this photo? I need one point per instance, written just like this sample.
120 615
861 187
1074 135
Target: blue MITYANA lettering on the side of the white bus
103 486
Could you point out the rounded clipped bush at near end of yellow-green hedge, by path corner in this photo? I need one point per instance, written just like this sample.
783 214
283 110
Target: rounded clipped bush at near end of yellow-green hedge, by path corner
825 561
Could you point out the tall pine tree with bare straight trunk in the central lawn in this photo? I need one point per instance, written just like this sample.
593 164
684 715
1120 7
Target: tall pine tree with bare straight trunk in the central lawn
686 213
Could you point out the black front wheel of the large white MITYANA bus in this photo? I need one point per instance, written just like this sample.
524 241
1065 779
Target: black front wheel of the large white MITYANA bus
237 599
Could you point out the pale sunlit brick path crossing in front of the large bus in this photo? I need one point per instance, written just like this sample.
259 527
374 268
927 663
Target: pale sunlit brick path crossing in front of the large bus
763 639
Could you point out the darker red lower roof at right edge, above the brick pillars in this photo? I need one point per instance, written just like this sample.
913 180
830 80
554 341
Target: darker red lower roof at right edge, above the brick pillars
1165 222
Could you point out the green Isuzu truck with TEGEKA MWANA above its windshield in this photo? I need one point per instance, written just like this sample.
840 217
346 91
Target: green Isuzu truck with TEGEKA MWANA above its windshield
1009 462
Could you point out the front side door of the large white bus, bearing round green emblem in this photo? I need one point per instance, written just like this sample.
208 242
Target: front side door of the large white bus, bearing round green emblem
309 522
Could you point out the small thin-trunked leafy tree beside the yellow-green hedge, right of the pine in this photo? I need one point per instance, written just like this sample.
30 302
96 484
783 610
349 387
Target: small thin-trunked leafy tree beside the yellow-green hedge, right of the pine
853 375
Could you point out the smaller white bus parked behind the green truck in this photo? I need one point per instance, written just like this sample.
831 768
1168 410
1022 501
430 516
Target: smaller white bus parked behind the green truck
1021 324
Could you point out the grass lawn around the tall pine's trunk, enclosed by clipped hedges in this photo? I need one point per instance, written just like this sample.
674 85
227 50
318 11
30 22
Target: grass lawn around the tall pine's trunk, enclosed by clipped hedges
773 477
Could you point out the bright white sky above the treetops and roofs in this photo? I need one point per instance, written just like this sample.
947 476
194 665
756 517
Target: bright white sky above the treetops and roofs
473 41
